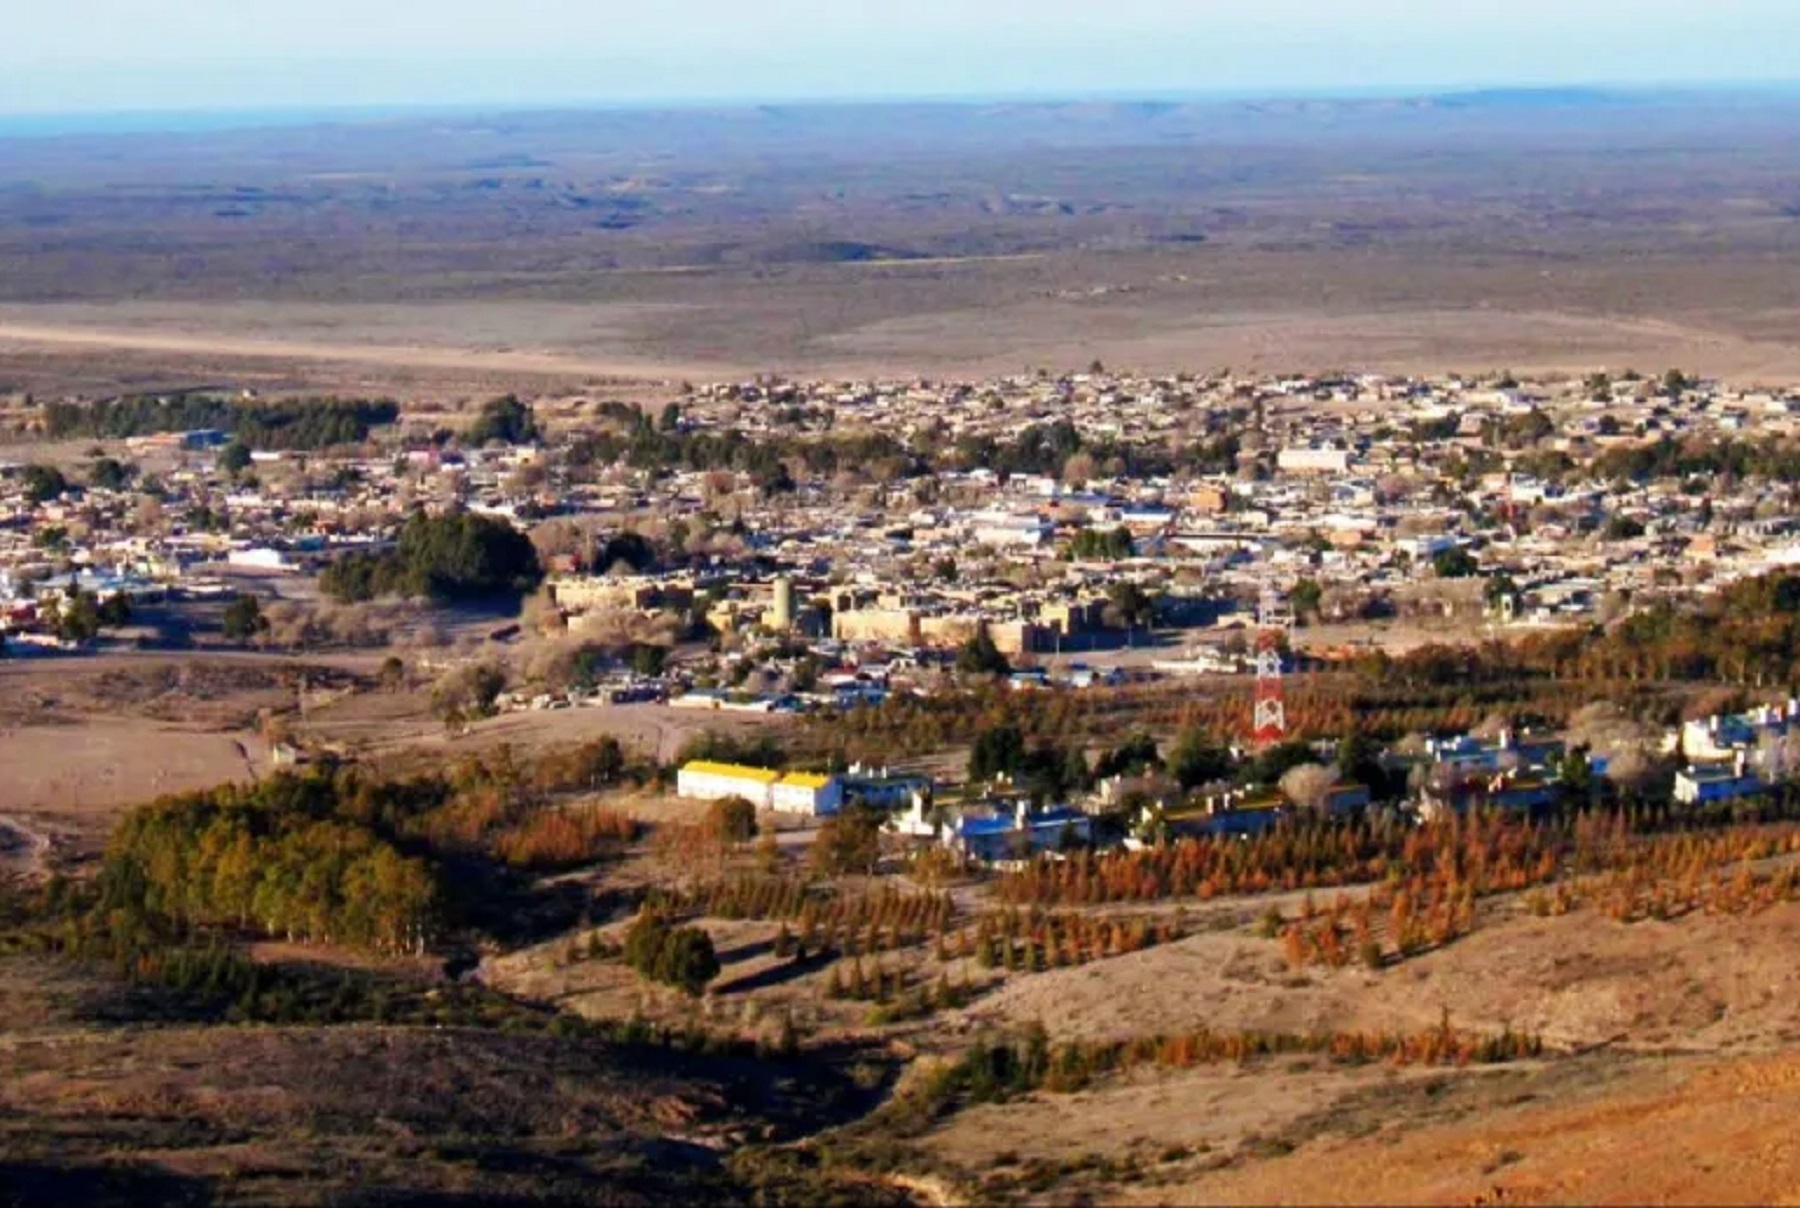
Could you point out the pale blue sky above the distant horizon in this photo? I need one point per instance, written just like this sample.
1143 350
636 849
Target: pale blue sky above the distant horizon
125 55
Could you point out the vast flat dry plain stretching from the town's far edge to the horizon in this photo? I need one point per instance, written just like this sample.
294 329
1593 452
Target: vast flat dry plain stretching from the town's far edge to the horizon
631 251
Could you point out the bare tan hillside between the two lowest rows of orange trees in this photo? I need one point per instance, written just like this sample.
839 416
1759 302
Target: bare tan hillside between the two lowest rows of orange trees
1702 984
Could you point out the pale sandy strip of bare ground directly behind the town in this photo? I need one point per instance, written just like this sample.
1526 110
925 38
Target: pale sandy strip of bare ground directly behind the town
1180 325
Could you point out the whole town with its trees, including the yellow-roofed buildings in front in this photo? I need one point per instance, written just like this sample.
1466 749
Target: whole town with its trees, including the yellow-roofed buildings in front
782 548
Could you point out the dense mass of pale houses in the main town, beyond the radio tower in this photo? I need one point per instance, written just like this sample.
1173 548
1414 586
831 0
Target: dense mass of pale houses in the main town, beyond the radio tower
1356 482
